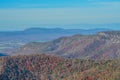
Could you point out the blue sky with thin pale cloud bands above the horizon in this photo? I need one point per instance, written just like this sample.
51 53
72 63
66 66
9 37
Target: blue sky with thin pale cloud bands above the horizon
22 14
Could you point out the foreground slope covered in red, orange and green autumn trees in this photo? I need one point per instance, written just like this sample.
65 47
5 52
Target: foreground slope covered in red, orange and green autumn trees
48 67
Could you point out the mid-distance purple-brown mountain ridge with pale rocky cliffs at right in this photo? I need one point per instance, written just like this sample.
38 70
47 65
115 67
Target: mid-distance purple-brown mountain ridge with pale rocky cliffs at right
103 45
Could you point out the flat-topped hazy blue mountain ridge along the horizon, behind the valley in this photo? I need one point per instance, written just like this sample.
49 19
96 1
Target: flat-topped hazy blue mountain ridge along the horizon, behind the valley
42 34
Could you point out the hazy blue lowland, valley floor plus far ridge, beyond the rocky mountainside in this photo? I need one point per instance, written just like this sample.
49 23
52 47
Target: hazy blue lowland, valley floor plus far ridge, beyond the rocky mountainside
11 40
